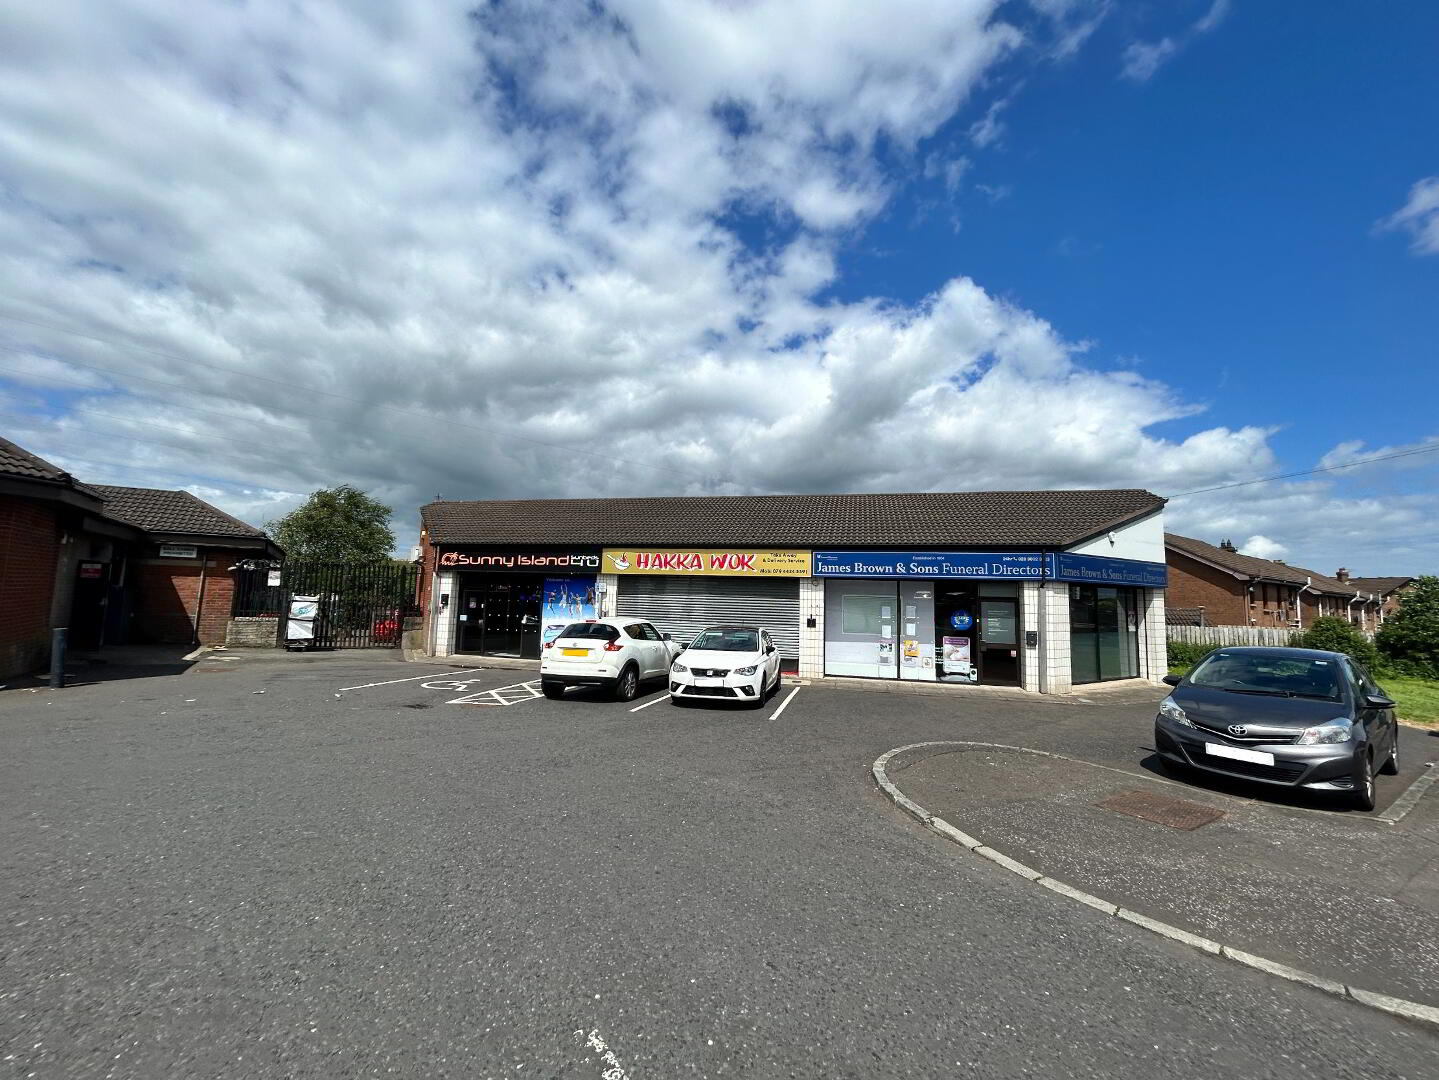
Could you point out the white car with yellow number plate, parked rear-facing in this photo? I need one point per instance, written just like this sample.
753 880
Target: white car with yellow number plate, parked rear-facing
615 654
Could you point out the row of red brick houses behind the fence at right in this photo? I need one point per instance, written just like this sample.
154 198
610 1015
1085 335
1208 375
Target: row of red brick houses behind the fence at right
1218 586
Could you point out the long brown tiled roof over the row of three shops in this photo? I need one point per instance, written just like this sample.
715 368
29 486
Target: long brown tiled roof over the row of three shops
1031 520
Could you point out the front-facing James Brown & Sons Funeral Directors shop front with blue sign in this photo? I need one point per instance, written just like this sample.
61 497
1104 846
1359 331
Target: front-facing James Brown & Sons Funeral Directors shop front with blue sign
927 616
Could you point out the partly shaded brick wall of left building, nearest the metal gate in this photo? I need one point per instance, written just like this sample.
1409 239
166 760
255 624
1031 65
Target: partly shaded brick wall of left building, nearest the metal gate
166 593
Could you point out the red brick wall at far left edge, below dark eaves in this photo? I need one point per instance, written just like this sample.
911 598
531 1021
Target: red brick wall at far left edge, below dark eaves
29 549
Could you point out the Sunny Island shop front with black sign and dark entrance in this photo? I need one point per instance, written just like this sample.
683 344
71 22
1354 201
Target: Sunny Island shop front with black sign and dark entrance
510 602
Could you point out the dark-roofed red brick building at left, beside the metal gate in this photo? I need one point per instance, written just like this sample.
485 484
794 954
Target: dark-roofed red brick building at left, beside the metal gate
112 564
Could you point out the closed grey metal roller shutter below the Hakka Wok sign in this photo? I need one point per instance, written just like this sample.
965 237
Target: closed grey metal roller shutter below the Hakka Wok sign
683 608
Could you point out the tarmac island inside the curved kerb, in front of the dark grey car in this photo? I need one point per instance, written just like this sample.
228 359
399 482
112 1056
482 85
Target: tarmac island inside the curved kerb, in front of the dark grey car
1342 897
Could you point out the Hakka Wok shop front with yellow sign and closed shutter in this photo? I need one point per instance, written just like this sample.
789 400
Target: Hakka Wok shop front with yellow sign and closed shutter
686 590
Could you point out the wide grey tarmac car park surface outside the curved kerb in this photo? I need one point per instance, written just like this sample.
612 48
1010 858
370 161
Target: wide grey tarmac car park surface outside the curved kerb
349 866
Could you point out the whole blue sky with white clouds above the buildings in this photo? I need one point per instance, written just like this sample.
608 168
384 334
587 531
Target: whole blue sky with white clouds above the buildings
530 250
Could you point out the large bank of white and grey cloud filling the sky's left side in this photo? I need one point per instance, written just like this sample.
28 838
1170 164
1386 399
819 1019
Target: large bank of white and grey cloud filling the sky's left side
535 250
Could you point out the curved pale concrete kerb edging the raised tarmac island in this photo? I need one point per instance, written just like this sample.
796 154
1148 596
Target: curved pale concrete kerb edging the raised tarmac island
1399 1007
